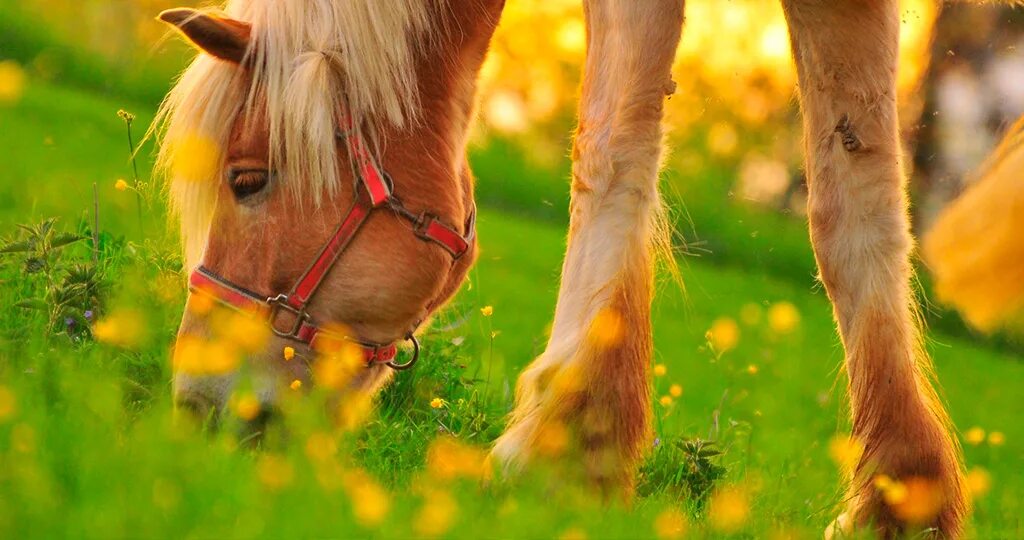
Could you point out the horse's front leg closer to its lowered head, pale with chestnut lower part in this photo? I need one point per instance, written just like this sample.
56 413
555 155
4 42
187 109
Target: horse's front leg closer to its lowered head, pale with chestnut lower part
588 395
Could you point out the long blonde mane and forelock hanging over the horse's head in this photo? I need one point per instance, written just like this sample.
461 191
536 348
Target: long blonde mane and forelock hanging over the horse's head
309 59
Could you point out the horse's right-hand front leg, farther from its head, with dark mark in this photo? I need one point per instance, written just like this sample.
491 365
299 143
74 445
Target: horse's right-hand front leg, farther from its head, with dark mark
846 55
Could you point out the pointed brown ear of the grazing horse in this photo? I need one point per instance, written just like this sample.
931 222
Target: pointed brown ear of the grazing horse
222 37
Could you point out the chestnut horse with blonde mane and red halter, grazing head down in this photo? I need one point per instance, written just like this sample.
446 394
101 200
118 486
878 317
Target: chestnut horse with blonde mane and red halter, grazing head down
337 191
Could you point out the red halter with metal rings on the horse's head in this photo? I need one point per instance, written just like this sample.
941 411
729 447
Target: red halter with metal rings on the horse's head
377 194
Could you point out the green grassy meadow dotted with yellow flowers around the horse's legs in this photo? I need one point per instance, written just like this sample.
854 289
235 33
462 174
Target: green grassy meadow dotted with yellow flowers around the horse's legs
748 386
